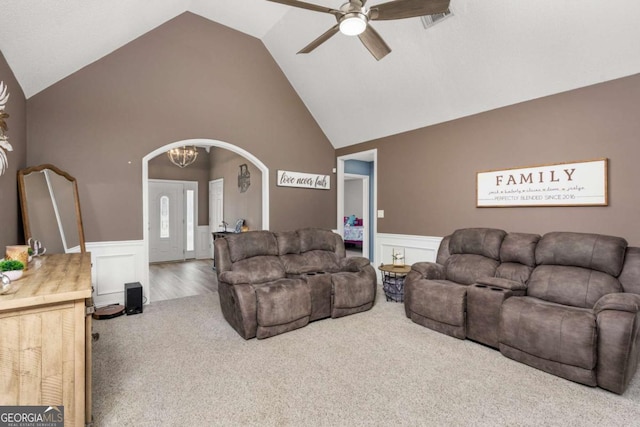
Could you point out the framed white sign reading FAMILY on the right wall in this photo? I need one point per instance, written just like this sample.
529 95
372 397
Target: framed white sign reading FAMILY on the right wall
582 183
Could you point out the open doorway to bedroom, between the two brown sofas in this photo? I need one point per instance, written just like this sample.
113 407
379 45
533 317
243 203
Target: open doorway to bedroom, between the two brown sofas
356 188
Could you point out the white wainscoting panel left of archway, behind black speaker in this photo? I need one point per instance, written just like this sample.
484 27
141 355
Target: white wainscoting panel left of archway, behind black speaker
114 264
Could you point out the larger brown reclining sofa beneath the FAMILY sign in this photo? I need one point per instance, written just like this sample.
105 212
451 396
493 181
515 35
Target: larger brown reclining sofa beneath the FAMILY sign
566 303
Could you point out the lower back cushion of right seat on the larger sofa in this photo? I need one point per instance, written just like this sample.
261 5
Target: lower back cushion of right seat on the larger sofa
575 286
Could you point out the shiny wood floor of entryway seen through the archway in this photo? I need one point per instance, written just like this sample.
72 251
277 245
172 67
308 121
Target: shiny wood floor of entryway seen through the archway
170 280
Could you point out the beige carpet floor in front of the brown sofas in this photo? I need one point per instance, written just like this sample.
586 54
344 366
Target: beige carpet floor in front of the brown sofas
180 364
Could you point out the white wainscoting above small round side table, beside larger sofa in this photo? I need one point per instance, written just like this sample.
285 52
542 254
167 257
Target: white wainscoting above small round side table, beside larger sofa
416 248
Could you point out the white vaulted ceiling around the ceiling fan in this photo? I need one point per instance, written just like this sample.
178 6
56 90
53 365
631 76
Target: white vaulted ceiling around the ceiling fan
489 54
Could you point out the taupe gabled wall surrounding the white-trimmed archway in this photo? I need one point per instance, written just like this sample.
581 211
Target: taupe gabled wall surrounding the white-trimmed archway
189 78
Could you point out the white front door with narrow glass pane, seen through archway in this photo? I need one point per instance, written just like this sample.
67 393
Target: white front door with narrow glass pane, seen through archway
166 221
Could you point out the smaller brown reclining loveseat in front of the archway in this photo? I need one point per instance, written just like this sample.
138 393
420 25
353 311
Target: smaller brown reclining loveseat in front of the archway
270 283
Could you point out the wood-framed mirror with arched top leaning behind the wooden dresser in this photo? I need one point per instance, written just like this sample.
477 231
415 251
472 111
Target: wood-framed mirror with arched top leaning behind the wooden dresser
51 209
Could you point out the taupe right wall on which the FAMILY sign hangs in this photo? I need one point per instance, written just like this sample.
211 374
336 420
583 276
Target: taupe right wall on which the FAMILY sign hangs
427 177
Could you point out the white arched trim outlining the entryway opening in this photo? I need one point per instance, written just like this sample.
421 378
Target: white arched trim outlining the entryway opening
198 143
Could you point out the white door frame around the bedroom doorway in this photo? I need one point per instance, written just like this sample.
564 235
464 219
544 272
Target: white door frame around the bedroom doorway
368 156
